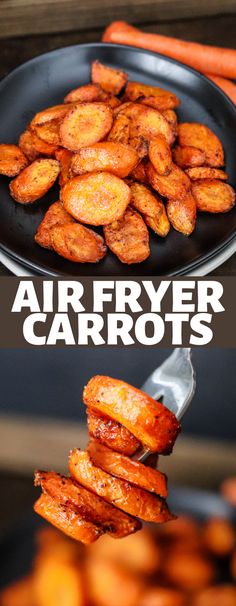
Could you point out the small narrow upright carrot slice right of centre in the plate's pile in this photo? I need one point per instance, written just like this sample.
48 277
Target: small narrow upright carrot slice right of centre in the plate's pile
160 155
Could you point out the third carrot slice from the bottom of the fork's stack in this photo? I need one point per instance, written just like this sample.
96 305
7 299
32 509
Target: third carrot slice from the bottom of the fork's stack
131 499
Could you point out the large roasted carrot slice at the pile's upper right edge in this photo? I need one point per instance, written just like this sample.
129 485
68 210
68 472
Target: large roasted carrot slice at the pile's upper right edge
202 137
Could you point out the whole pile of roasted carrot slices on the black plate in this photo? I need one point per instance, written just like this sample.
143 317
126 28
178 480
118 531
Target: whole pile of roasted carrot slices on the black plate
117 150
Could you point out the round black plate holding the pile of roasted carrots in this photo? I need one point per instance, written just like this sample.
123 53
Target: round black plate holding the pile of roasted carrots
44 81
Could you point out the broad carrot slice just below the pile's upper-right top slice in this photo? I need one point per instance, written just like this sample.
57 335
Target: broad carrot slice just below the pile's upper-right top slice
146 122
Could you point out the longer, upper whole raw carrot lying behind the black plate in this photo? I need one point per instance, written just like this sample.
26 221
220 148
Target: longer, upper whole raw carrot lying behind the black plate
216 60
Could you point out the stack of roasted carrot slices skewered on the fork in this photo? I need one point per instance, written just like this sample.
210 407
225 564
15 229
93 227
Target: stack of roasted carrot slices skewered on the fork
107 491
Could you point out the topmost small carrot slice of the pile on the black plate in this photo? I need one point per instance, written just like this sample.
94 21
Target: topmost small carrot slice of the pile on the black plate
111 80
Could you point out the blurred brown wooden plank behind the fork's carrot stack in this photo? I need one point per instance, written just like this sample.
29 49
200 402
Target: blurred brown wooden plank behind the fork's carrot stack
30 443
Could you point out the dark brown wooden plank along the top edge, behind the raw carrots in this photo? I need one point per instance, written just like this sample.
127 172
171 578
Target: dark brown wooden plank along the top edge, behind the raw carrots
25 17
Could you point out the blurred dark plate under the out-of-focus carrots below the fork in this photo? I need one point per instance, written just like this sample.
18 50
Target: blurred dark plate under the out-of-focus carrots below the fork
17 548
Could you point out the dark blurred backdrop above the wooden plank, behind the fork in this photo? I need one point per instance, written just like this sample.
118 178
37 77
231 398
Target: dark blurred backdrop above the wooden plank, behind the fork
50 382
